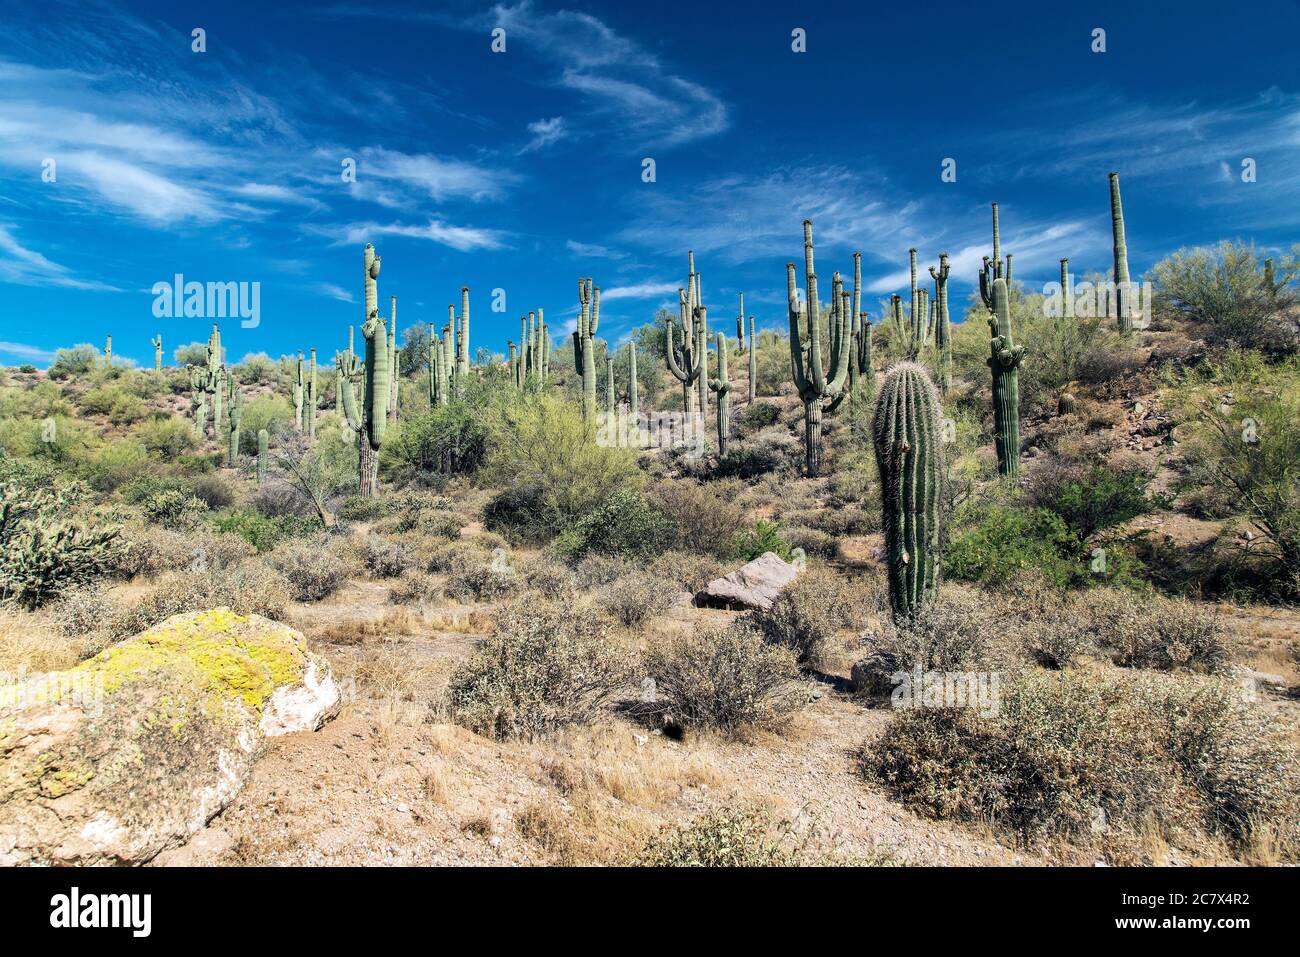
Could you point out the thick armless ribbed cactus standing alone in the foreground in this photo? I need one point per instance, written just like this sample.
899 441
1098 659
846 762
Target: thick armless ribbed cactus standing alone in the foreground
911 460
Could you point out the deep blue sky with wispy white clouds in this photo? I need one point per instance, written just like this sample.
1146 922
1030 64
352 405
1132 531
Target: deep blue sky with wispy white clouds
522 171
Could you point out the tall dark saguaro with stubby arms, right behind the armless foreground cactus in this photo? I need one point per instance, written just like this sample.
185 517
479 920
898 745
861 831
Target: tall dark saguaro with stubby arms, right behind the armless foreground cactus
1006 357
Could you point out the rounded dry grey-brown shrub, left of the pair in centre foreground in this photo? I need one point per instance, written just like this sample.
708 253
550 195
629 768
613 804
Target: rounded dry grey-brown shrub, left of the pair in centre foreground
545 669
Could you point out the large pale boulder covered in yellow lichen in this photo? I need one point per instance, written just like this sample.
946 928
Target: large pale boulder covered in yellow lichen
138 748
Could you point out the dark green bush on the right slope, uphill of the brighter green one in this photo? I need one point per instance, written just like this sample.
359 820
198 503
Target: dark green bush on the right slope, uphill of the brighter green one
1091 499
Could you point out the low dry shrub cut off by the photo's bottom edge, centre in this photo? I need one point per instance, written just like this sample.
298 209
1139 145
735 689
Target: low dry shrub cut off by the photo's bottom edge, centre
723 838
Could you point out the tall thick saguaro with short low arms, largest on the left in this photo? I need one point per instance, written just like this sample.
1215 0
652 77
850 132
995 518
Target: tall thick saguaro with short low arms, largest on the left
370 419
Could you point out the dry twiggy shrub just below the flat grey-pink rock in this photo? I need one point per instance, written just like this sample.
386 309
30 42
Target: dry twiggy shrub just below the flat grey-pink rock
726 679
